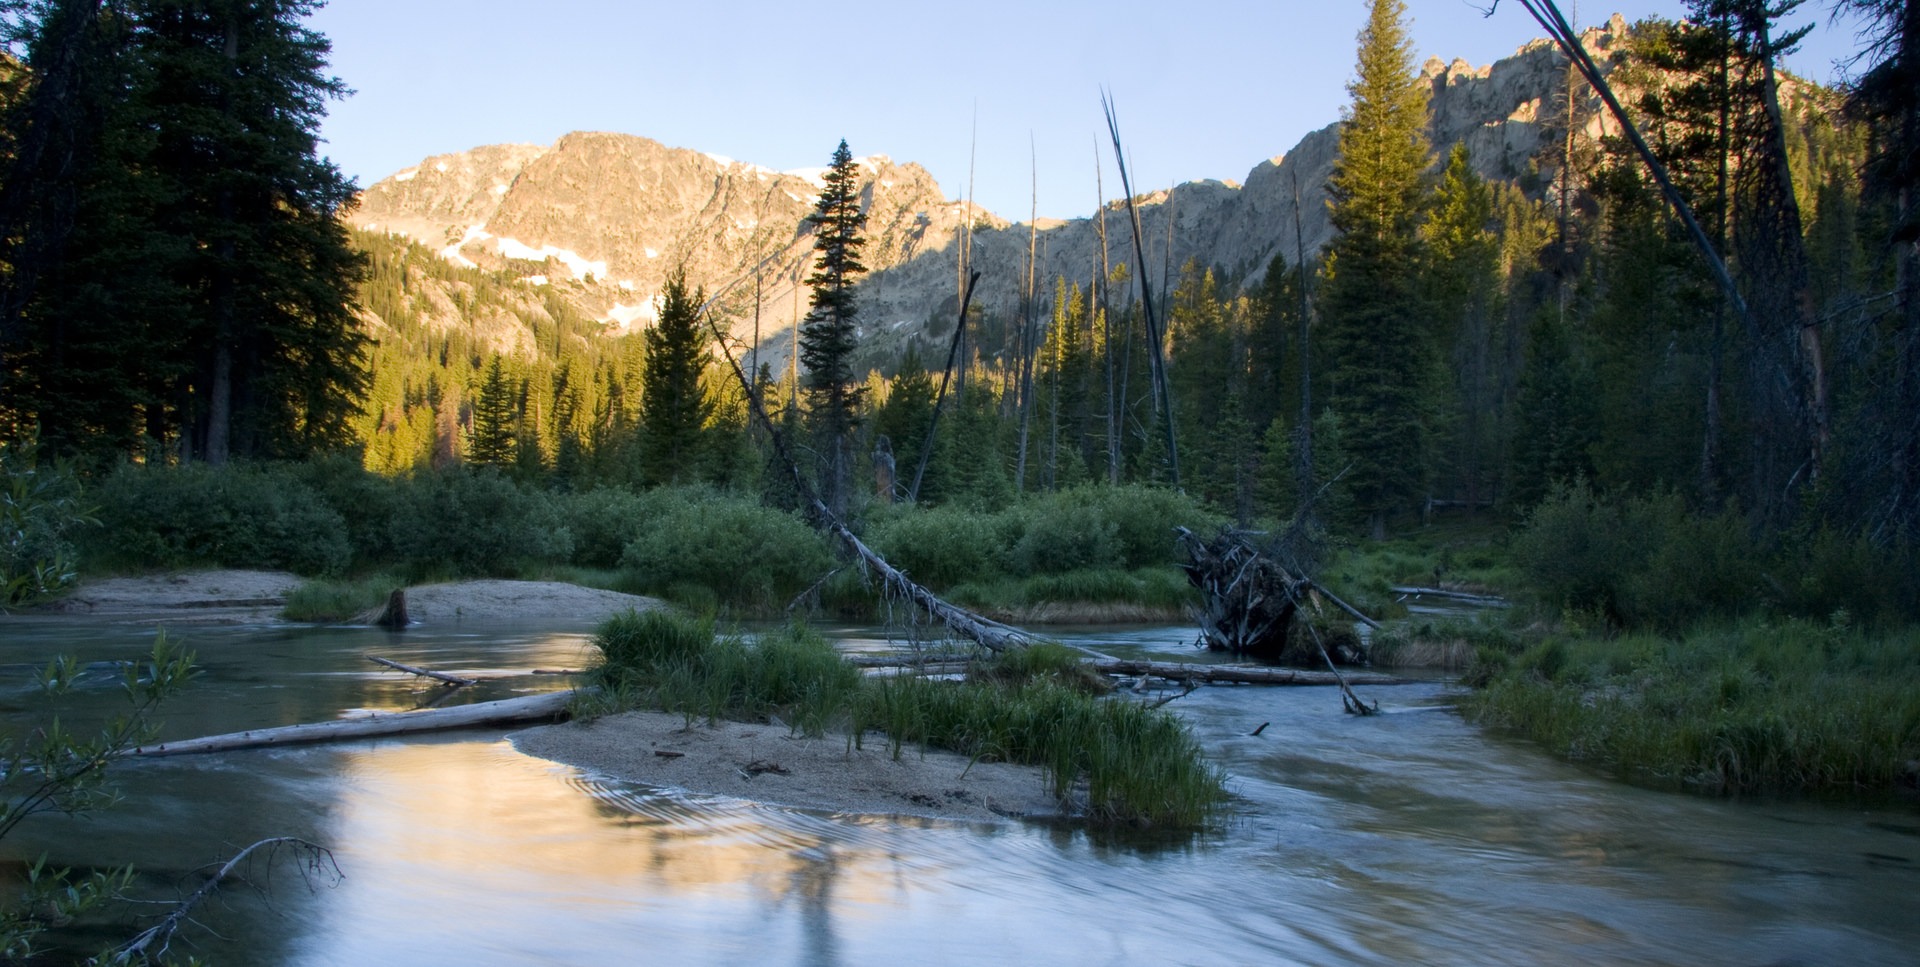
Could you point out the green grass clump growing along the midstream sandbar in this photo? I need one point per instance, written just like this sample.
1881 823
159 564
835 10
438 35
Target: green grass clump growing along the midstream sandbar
1036 707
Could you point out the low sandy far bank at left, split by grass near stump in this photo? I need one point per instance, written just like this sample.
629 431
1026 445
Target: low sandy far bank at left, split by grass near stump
260 596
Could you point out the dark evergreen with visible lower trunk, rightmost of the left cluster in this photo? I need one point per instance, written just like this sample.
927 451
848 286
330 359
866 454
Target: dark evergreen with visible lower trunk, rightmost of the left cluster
239 91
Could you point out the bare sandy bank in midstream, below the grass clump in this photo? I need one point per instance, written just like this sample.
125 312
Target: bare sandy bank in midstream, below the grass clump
769 765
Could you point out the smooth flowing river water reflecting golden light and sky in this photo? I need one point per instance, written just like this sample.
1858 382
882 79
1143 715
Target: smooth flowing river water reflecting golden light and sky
1408 837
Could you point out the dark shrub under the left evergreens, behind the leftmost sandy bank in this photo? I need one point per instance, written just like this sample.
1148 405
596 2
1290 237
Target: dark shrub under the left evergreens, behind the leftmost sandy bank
235 517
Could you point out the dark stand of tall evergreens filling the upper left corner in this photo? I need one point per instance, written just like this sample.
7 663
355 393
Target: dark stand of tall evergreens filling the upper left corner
181 270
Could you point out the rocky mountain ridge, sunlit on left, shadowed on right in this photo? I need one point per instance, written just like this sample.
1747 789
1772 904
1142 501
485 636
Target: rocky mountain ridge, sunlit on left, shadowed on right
604 218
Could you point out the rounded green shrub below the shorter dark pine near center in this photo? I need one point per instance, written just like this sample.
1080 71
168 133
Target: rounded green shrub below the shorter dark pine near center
748 554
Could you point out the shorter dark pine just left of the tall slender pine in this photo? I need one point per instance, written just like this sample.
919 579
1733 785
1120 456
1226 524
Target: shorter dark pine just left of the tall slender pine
673 402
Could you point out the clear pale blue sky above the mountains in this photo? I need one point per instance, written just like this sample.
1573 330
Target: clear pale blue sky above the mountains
1005 95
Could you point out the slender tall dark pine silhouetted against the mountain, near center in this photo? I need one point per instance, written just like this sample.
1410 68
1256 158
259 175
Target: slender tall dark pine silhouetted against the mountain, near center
828 333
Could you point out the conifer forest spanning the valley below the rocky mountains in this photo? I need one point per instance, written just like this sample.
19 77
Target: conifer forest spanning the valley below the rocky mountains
180 291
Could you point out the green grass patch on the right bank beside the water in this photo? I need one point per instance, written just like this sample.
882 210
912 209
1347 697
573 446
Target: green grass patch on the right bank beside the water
1790 707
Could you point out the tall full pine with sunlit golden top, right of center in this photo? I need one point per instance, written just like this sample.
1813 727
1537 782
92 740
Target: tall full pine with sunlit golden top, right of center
1380 350
